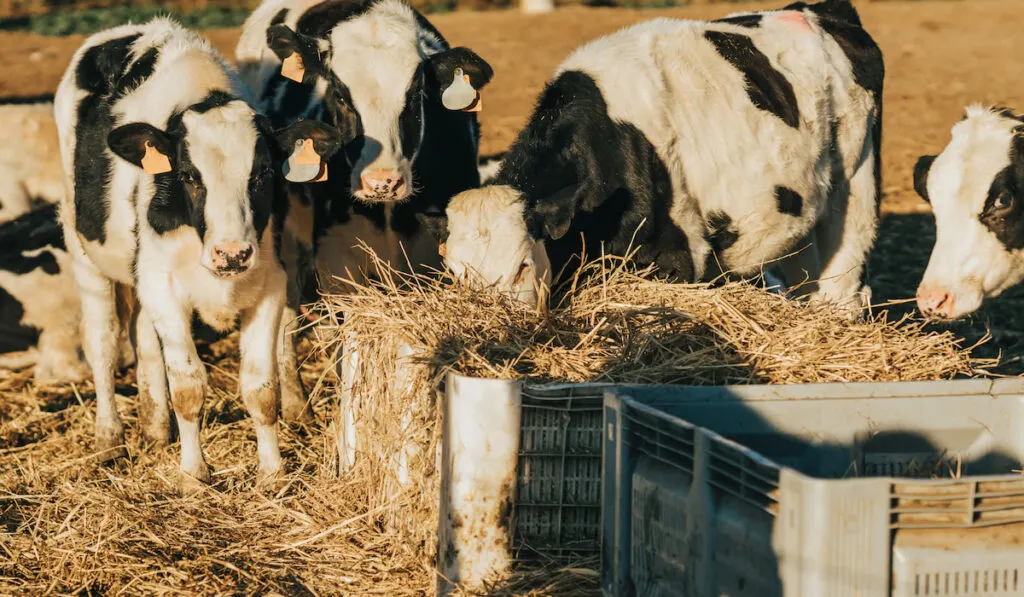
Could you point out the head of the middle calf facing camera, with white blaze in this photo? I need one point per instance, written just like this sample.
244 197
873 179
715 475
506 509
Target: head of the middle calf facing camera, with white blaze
379 63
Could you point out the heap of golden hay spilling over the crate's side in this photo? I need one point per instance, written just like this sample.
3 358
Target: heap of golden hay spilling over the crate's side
614 324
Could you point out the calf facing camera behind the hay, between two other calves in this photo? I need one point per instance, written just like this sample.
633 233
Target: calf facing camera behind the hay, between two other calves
378 68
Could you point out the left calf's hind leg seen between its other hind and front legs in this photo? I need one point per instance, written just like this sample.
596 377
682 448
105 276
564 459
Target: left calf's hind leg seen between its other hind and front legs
155 415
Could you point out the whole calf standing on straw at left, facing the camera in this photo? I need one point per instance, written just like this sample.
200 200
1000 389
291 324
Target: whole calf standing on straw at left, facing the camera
176 194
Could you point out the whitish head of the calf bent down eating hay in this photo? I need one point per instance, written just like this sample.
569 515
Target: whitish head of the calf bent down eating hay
489 242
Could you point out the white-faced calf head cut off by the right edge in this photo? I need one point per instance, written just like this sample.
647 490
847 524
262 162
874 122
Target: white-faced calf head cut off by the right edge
976 188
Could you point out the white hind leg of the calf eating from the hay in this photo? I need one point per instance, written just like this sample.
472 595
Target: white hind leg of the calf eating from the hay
846 235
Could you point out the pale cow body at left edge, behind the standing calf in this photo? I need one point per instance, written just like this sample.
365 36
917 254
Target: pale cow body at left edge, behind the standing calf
31 176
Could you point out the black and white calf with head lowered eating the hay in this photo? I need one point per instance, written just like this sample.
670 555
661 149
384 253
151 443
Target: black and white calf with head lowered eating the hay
712 147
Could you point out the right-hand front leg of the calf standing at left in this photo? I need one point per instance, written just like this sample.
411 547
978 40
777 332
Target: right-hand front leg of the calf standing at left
261 382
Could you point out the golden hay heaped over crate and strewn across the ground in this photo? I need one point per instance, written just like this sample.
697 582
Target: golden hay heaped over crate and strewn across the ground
71 526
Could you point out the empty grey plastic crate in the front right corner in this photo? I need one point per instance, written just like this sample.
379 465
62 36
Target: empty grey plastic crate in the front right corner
815 491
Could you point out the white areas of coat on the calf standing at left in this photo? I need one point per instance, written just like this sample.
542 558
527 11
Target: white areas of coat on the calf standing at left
173 281
